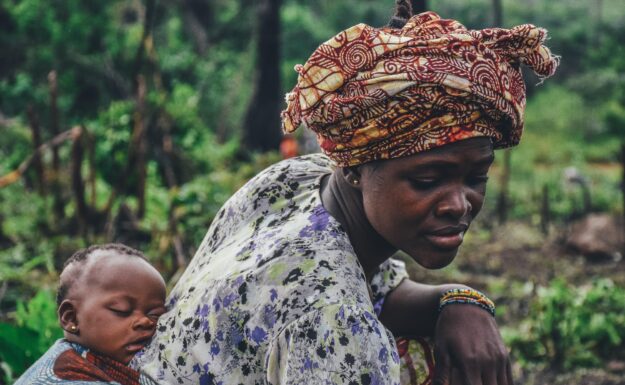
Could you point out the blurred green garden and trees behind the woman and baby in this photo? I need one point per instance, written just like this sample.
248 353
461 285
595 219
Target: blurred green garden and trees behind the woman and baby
133 121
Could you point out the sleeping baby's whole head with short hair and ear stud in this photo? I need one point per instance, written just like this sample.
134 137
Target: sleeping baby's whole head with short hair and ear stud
109 300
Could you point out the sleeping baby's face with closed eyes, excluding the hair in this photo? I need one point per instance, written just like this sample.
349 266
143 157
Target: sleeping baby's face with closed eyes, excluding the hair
117 305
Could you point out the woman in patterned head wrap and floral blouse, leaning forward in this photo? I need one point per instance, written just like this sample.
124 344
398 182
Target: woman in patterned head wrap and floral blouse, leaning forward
293 282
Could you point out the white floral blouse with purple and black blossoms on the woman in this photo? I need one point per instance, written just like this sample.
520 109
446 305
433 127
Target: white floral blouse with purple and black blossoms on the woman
276 295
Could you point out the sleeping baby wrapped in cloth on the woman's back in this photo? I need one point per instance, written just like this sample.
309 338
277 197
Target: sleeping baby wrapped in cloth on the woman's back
109 301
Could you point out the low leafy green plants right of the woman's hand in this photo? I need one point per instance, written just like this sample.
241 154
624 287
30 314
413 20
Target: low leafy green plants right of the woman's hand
571 326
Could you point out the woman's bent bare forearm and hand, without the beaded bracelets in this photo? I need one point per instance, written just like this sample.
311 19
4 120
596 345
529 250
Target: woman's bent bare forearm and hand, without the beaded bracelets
466 338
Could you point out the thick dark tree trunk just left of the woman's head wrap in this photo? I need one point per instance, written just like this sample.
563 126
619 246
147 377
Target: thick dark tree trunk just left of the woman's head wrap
261 129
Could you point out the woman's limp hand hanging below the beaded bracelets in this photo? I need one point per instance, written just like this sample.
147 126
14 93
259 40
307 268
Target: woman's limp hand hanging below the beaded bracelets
468 349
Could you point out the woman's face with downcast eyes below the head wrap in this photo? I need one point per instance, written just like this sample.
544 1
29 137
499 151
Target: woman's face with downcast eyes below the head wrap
424 203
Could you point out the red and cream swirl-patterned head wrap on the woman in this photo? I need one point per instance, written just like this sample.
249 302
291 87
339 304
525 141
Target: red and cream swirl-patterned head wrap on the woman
380 93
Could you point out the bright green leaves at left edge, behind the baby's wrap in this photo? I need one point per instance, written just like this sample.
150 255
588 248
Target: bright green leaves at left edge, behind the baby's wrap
35 330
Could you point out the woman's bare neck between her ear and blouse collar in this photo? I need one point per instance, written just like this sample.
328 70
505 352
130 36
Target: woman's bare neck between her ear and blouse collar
345 204
